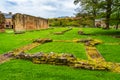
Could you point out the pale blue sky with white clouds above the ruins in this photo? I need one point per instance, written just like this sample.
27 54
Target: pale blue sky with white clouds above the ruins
43 8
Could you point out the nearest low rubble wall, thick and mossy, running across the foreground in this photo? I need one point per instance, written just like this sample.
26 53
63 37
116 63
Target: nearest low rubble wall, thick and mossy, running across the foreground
61 59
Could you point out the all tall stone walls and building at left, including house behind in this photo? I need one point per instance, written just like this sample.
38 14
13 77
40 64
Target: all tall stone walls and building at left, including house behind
22 22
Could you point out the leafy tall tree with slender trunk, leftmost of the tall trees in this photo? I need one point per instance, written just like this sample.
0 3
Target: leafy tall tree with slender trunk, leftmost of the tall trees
89 6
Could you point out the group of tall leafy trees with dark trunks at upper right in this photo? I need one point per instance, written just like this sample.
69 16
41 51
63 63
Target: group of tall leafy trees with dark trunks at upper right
101 9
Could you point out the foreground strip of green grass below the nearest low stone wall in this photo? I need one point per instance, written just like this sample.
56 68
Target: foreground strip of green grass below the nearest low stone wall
25 70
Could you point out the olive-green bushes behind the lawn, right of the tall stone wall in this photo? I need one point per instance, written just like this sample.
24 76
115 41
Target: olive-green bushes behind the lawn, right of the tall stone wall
76 21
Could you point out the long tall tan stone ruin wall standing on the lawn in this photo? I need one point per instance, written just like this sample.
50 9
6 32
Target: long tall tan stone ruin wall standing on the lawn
23 22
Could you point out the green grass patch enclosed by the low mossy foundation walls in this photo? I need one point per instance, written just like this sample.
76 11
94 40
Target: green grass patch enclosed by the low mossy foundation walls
61 47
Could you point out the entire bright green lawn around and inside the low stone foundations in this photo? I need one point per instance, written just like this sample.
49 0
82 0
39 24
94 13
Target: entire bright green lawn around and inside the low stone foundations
25 70
